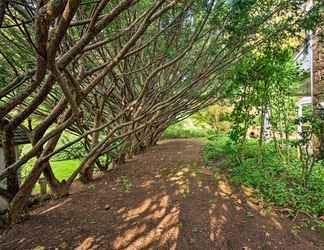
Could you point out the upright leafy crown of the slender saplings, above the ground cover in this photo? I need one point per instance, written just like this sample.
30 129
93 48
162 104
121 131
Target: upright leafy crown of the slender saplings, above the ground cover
262 81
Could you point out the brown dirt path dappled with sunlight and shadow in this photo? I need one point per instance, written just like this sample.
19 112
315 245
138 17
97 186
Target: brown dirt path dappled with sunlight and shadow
163 199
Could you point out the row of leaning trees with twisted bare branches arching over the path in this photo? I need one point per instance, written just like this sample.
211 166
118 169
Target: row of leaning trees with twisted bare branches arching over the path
111 76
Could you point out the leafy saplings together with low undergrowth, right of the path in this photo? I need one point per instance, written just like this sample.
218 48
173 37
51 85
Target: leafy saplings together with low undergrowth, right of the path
283 168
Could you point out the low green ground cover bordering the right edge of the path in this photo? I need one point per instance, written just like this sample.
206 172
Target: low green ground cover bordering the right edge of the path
274 179
